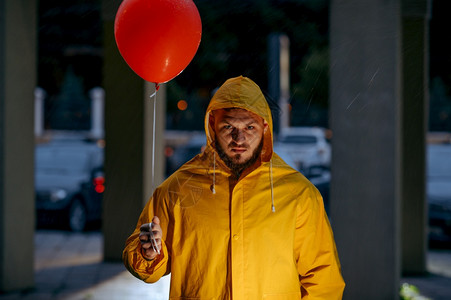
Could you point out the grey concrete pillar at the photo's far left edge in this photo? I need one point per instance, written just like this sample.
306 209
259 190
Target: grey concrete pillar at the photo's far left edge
18 34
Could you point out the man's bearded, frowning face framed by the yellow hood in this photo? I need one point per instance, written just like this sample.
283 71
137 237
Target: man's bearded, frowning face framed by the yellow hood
239 137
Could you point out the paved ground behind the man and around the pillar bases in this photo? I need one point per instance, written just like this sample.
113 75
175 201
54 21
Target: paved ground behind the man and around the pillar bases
69 266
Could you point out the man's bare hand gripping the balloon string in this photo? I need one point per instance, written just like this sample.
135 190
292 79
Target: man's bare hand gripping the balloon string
151 247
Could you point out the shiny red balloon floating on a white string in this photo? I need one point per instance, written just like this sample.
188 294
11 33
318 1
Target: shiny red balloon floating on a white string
158 38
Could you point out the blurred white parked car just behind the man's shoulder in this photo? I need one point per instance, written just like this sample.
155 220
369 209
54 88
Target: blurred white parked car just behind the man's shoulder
307 146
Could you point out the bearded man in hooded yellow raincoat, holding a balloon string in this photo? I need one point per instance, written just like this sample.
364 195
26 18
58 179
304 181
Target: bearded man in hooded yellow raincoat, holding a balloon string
236 222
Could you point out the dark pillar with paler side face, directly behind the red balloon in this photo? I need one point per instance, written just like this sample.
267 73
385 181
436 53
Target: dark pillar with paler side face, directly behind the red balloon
128 132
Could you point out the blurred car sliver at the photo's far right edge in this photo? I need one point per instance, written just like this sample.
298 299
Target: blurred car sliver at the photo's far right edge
439 191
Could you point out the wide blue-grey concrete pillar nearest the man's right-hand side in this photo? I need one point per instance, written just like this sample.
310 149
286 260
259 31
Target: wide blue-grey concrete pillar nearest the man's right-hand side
365 98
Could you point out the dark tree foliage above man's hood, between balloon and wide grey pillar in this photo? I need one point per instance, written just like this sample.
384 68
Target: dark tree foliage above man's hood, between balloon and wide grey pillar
234 42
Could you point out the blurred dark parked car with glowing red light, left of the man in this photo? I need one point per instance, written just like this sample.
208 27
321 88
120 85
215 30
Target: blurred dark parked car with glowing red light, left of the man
69 183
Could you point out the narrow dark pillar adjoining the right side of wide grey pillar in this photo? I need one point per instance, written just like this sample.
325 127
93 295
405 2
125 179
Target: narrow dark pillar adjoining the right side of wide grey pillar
414 128
